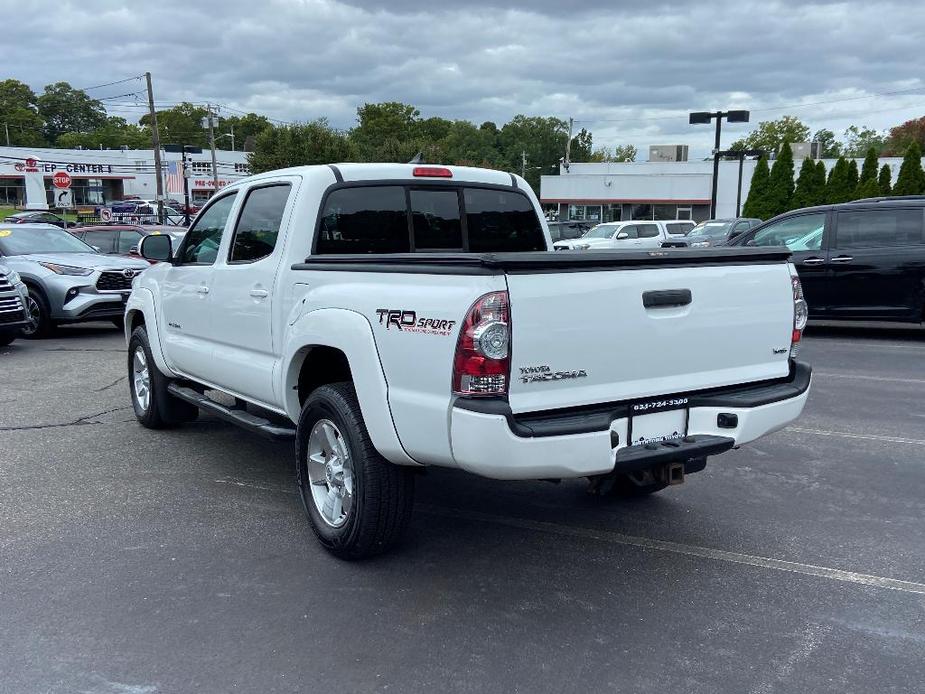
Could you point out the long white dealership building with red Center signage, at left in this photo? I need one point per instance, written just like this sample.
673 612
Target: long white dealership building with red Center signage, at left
103 176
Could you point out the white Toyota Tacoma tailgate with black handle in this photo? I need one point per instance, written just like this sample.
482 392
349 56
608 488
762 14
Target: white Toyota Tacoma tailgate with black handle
596 334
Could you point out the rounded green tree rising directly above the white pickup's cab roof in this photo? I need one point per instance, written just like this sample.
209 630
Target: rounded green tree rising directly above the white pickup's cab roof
304 143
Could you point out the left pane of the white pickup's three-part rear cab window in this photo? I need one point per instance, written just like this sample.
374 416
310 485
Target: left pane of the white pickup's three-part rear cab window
368 219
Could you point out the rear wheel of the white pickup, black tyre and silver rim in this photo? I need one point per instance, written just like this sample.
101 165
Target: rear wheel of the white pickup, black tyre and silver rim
357 502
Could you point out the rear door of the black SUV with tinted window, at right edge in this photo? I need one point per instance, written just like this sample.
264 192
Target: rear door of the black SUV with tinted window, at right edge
877 263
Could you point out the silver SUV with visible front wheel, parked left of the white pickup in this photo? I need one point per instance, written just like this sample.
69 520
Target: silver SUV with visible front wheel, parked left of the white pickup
68 281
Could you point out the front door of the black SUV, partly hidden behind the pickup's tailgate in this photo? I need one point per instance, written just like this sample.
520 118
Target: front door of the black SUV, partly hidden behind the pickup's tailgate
805 236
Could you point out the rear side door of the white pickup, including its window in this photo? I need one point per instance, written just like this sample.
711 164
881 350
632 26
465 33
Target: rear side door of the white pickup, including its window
242 289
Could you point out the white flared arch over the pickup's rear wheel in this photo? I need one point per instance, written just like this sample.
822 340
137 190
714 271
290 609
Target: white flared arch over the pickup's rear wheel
351 333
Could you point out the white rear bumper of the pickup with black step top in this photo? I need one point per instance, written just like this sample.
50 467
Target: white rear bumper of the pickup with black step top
488 440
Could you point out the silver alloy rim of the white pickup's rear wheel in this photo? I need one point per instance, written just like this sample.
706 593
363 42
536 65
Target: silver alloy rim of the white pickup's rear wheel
330 473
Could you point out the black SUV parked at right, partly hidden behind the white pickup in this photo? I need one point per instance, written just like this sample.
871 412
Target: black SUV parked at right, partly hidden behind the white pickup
857 261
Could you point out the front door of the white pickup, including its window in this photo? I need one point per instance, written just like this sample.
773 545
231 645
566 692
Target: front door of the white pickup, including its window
186 318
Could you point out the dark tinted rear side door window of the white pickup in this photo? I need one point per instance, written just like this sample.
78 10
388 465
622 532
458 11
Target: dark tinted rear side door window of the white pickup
258 224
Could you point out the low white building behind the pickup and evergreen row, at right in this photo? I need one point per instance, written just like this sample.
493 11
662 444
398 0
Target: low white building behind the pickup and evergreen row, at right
654 190
